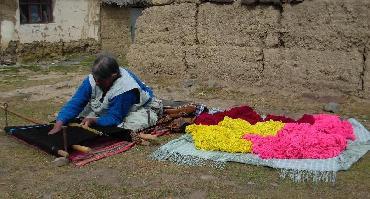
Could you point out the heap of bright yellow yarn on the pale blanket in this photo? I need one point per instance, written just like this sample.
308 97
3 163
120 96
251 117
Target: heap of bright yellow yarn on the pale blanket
227 135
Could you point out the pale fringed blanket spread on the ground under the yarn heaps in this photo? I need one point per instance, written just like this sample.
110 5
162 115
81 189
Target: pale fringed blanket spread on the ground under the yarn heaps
183 151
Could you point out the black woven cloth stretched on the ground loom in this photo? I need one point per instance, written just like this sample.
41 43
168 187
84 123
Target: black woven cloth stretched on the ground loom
37 135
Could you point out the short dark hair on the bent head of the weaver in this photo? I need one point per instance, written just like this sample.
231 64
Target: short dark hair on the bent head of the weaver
104 66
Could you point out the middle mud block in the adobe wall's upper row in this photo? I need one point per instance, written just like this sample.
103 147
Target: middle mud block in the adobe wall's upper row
237 25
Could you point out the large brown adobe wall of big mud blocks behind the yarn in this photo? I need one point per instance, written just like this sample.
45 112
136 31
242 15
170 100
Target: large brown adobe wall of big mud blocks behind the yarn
317 46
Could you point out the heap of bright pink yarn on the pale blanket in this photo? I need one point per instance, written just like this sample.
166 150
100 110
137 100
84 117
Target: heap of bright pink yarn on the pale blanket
325 138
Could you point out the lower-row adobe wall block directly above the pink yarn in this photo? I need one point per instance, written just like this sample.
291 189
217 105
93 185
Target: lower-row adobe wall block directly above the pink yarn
301 70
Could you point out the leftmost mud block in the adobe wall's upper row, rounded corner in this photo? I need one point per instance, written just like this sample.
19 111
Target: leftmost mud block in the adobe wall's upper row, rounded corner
170 24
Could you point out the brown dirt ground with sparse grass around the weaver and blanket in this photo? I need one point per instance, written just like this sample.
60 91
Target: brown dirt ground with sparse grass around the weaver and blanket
39 90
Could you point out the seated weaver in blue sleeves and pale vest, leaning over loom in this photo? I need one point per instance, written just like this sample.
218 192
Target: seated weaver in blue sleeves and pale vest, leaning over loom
111 96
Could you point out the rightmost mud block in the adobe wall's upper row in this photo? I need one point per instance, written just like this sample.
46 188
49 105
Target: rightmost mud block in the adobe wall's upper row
326 24
